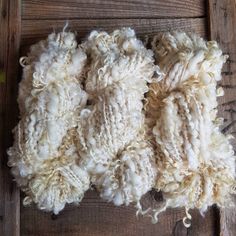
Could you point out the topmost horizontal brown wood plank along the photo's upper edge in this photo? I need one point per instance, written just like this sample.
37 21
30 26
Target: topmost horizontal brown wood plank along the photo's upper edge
62 9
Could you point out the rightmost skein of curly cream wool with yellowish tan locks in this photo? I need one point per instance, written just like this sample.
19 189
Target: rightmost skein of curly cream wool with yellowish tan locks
195 161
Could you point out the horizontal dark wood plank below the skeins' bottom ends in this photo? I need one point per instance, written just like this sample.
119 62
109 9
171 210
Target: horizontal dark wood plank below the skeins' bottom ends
95 218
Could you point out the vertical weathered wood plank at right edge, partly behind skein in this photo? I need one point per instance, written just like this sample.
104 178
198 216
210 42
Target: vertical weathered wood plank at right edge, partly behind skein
222 21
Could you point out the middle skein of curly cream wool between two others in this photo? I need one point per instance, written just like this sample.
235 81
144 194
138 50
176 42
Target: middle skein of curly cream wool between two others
111 136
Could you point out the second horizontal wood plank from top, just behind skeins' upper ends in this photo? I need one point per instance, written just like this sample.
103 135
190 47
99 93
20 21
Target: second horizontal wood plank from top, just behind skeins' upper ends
34 30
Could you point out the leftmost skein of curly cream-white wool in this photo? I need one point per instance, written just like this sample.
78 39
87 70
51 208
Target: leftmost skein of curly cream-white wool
43 157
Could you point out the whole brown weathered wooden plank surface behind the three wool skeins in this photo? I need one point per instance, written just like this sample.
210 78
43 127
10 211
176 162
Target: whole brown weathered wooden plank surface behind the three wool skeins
25 22
